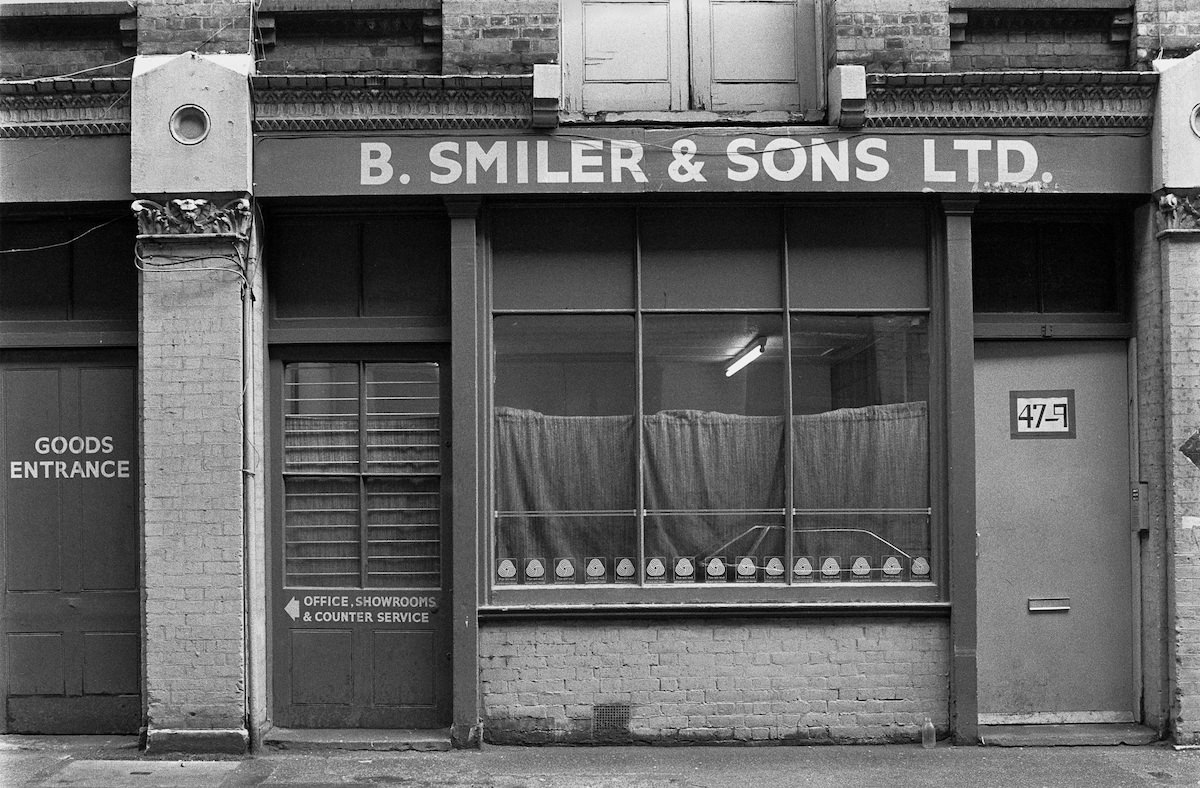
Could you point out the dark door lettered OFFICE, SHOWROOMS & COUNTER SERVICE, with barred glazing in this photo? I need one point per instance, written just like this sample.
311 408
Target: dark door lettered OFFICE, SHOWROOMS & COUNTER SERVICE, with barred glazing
361 605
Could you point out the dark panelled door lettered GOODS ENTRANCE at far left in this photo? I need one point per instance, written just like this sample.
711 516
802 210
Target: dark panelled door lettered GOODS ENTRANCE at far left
70 527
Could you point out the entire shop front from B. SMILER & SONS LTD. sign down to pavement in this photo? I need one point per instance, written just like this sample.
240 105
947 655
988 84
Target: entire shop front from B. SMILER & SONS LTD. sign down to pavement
667 436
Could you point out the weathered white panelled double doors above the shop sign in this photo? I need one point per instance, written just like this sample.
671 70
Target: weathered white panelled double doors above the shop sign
670 56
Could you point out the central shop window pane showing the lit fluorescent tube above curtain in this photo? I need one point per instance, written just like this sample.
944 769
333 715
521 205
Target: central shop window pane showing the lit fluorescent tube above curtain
713 432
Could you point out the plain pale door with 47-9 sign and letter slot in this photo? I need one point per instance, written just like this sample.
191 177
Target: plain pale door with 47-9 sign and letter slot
1054 520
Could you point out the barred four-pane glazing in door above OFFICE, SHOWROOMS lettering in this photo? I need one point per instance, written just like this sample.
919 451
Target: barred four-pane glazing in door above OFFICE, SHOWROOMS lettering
362 476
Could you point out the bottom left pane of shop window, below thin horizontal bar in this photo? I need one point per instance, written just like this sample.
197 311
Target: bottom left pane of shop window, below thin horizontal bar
566 549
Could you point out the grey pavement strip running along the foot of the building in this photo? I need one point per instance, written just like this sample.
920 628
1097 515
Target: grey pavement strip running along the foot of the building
116 762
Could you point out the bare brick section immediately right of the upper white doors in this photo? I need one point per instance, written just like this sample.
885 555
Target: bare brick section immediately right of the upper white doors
892 35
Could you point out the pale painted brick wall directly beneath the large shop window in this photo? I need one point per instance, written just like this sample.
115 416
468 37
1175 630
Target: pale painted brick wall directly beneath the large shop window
765 681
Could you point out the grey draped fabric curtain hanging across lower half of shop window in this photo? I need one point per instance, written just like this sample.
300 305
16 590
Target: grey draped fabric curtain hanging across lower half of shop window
713 483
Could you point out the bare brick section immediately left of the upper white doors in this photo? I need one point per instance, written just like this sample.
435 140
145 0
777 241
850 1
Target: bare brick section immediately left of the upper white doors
499 37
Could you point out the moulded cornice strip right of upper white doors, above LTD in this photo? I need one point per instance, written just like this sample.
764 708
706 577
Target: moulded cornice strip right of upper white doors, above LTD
1012 100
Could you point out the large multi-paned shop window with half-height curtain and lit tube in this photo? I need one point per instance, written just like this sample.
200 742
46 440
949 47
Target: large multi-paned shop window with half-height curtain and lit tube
669 413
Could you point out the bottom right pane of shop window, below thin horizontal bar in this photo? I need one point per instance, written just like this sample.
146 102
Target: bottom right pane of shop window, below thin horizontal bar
861 548
